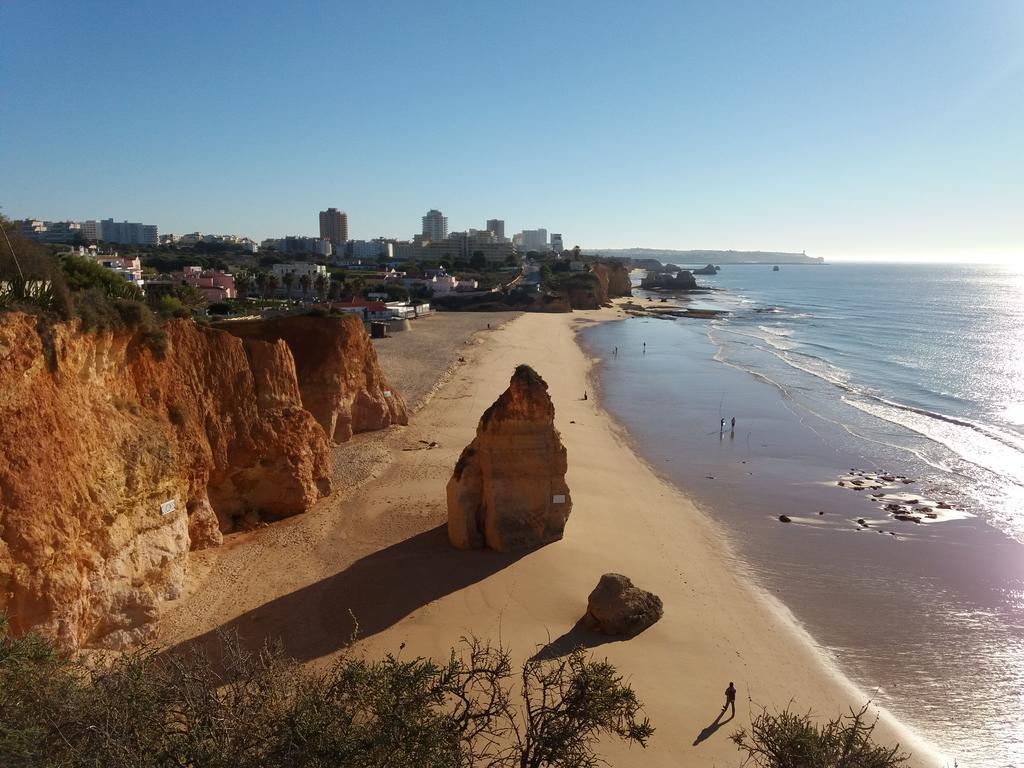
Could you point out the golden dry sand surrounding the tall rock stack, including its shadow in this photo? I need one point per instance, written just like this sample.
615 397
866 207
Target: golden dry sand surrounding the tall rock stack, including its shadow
381 552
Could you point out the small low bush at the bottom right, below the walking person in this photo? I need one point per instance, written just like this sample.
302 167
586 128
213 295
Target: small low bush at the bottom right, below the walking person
788 741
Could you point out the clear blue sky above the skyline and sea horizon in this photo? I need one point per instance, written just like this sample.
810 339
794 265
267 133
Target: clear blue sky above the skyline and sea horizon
878 130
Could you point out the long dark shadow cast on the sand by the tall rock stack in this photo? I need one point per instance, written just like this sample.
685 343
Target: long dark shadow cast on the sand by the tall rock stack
379 590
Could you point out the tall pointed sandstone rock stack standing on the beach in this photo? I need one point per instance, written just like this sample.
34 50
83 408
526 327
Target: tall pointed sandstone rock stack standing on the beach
508 491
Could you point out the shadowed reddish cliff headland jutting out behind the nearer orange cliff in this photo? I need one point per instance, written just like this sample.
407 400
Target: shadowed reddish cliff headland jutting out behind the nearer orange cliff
339 379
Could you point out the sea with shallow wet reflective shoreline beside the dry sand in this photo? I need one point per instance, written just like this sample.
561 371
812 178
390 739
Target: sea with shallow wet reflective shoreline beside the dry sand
907 370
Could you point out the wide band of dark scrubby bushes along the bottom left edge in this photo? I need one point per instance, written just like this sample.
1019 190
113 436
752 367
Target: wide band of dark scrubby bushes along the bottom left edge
247 709
